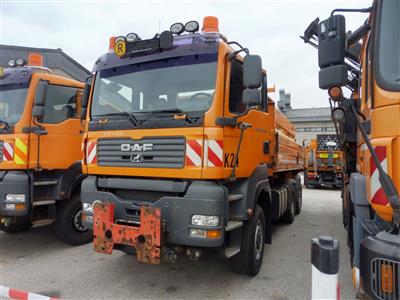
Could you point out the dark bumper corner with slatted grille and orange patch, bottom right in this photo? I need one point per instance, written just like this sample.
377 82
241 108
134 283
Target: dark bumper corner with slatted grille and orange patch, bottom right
380 266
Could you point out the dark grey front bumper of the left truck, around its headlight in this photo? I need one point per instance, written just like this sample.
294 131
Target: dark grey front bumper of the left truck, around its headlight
14 182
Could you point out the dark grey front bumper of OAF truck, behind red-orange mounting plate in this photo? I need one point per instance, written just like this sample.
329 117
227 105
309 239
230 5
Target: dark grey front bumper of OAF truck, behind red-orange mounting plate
198 198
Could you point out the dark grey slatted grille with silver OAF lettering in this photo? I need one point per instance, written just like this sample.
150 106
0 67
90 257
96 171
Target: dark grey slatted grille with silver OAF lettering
145 153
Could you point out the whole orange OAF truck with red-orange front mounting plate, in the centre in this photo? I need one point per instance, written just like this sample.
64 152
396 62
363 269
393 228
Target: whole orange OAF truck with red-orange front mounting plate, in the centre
185 151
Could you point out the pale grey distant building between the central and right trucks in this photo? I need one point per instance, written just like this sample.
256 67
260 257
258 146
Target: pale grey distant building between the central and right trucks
308 121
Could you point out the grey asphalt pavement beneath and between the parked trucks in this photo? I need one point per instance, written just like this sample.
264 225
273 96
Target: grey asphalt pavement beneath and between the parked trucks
36 261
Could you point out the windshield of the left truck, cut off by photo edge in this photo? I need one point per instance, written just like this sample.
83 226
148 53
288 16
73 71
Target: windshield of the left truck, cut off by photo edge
12 101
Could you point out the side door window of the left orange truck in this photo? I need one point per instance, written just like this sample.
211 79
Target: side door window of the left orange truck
60 104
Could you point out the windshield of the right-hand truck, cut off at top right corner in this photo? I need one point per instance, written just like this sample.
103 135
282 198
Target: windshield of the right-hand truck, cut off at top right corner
389 44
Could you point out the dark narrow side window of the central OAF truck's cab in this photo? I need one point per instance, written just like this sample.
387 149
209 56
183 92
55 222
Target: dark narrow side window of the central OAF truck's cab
236 104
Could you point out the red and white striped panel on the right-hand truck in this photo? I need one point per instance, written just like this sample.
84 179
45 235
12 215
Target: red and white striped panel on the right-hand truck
378 195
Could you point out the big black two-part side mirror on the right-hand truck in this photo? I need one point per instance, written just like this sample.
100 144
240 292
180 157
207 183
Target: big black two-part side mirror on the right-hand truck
332 51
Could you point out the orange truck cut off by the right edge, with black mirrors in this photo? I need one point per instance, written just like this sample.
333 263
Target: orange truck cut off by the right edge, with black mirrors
367 62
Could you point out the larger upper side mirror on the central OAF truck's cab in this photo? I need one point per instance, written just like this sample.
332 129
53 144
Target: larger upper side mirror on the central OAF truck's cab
252 71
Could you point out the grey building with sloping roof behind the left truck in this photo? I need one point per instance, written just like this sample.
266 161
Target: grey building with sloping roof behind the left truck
55 59
